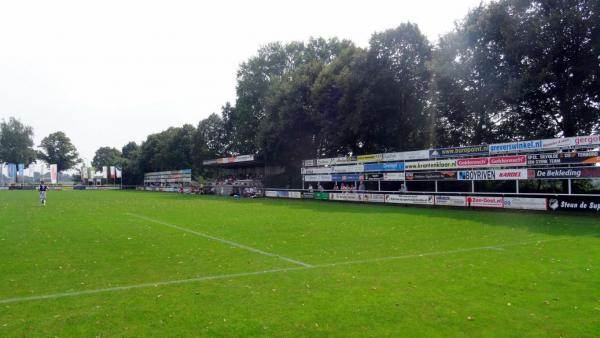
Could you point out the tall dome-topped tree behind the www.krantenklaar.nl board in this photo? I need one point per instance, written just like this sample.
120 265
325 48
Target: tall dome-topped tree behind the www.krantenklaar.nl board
396 102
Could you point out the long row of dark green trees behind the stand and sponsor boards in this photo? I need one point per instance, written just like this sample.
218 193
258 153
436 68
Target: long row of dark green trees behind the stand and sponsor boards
509 70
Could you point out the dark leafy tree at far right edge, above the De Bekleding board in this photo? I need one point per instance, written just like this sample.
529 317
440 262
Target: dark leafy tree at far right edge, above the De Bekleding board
560 46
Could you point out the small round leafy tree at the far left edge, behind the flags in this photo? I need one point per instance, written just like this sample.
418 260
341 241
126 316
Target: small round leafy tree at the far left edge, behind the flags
16 142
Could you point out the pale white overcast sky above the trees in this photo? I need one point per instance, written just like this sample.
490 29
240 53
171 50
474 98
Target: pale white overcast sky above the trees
109 72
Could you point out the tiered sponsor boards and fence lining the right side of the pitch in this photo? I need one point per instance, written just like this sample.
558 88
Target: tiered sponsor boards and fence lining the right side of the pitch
561 173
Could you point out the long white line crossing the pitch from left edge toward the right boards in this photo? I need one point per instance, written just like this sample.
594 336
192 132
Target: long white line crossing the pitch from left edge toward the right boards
263 272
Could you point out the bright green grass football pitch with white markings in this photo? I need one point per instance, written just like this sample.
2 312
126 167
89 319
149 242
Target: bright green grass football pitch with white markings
135 264
